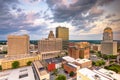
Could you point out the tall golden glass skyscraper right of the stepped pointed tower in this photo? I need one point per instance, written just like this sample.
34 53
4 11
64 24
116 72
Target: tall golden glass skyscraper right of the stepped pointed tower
63 32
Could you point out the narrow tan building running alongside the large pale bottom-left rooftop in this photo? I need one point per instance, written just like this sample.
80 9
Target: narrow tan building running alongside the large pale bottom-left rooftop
40 71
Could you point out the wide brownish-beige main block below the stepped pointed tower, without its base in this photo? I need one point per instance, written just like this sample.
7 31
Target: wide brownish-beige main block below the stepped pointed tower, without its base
50 44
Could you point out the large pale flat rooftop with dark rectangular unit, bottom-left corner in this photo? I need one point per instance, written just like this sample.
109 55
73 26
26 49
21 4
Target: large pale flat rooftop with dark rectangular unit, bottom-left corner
25 73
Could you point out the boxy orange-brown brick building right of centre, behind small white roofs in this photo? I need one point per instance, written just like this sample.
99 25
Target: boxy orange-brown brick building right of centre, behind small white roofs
79 50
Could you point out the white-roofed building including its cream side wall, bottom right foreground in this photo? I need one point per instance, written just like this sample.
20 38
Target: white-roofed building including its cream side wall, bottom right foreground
87 74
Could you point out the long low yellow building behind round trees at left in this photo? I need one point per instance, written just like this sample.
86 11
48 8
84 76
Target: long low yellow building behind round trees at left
6 62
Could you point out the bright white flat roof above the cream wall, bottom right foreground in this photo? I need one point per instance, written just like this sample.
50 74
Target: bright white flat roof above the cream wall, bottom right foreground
94 75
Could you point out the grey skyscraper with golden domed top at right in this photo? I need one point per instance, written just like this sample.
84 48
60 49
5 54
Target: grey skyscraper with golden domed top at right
108 46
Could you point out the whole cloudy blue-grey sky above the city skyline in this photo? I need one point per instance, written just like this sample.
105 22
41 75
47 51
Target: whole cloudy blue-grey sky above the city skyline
86 19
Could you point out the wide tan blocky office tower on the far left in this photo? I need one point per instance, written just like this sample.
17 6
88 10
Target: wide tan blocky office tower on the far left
18 44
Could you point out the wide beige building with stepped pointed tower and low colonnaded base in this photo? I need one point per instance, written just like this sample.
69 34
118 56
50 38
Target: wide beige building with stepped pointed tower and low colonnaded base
50 47
